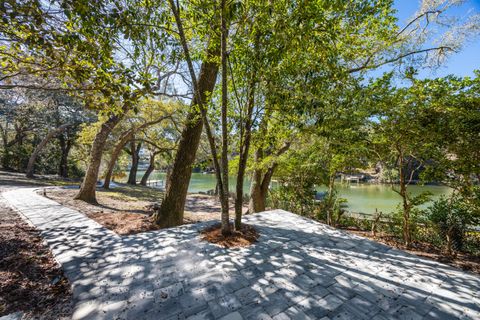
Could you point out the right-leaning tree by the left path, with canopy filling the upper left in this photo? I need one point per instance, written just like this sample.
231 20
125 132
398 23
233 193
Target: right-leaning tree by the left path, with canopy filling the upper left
93 49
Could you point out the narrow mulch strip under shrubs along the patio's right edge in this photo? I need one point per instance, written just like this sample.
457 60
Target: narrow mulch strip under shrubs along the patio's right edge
462 261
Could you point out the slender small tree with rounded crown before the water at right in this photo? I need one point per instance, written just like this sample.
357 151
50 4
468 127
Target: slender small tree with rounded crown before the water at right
404 140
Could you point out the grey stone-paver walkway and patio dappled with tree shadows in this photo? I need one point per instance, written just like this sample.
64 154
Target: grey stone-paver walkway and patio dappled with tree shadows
299 269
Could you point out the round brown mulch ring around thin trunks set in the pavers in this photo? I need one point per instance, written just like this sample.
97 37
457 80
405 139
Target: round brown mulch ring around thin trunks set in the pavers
238 238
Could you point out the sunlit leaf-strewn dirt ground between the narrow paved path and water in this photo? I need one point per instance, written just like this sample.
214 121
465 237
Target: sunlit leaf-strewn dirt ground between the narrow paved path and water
127 209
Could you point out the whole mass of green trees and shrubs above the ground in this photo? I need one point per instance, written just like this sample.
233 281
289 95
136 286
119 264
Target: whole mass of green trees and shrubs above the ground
293 92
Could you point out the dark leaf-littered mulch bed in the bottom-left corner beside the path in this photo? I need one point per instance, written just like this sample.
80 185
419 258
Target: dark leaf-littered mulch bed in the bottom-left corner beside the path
30 279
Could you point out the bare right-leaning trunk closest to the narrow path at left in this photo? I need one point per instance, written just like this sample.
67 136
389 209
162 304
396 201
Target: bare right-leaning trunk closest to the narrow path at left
89 184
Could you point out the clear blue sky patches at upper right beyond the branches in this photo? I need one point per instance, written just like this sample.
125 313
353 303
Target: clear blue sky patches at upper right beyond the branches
459 64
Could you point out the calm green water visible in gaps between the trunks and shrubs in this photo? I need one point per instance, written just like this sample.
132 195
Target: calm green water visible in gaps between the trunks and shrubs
361 197
